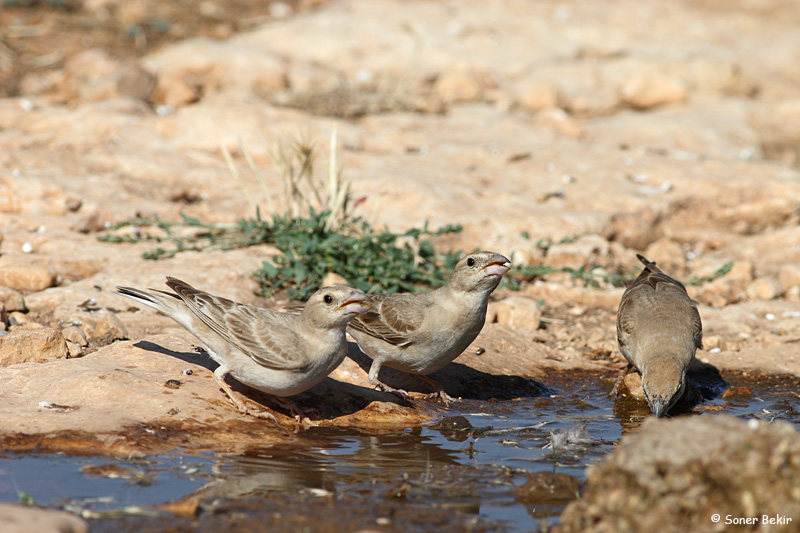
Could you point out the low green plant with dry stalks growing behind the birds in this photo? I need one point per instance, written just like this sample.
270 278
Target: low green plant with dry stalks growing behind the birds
316 235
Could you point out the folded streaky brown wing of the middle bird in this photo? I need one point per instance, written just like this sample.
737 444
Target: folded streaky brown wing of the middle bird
393 318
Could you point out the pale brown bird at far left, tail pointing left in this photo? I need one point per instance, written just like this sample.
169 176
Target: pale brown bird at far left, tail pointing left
281 354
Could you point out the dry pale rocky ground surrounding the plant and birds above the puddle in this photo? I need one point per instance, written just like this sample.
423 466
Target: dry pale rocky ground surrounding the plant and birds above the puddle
571 134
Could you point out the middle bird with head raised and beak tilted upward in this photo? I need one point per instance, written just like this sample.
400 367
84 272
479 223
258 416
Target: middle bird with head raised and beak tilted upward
421 333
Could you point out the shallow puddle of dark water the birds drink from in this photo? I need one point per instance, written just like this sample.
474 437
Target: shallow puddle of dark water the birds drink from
487 466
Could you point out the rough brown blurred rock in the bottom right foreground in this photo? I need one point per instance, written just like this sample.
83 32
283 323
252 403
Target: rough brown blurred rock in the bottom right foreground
723 465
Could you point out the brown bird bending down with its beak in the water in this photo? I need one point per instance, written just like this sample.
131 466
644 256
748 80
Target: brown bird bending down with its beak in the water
658 330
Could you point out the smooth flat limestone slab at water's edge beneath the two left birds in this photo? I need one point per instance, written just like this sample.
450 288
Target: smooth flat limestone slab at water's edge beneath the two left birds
159 393
